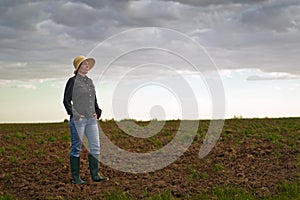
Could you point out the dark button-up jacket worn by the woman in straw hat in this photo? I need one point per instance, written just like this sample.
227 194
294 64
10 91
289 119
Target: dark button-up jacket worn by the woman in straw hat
80 97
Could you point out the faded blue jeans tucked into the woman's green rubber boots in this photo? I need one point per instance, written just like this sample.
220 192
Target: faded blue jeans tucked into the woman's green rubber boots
89 127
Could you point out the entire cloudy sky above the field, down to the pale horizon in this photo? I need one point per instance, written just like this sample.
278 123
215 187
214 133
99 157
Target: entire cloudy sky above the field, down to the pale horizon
147 52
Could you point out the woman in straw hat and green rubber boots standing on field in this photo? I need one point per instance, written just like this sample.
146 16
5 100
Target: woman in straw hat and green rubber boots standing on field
81 104
